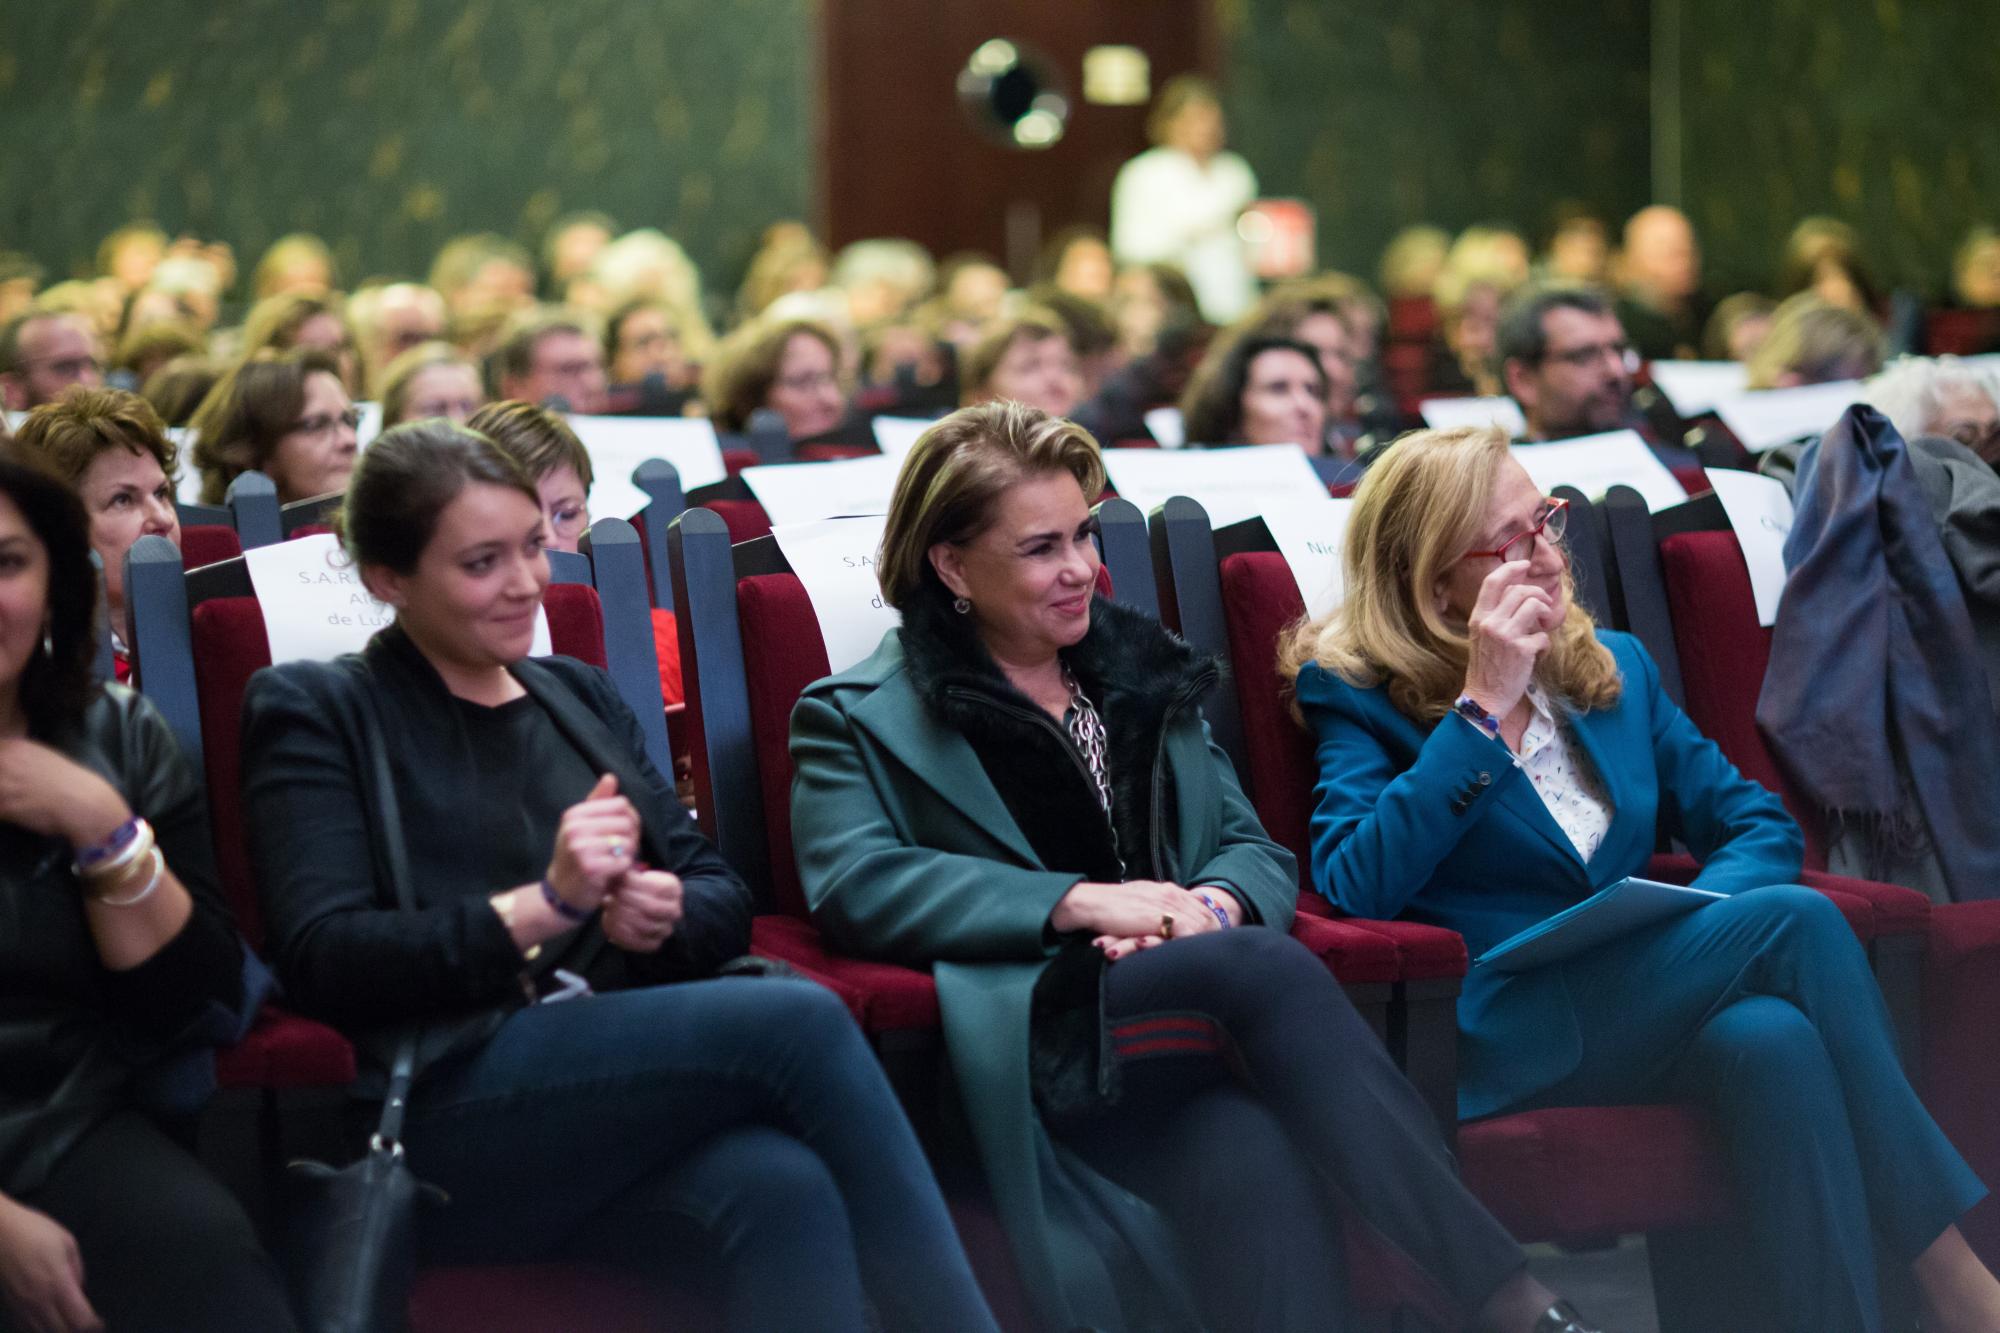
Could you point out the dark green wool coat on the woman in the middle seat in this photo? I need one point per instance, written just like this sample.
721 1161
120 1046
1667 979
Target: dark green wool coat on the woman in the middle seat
909 854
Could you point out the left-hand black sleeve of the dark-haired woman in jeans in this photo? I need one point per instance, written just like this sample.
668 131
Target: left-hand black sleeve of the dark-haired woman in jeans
337 940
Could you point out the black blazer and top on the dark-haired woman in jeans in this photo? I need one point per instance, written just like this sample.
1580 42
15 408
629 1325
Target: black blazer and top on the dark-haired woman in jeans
335 936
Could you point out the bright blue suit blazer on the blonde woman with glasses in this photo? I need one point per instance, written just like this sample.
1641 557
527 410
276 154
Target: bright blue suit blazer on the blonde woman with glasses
1435 824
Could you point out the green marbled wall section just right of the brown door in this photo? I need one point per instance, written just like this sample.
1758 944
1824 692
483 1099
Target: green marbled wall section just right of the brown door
1385 113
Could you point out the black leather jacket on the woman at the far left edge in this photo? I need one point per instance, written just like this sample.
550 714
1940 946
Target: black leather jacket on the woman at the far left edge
79 1040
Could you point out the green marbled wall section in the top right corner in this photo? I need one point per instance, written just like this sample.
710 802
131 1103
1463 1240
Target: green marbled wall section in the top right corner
1885 113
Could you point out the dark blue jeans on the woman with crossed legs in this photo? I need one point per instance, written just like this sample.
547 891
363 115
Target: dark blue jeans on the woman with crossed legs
737 1126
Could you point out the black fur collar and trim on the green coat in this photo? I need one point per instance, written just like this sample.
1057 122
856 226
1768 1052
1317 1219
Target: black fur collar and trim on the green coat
1135 672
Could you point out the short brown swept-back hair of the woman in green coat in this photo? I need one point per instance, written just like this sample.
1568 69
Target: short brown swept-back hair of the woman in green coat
959 471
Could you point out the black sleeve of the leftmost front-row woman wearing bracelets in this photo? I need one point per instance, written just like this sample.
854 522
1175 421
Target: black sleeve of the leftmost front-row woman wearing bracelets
203 964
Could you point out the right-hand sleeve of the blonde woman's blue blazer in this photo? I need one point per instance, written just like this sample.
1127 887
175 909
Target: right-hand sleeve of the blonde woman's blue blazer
1735 828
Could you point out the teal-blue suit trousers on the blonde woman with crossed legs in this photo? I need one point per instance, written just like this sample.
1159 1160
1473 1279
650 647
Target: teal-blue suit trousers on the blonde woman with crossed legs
1763 1010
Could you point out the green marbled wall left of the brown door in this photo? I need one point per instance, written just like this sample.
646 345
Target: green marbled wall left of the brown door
393 125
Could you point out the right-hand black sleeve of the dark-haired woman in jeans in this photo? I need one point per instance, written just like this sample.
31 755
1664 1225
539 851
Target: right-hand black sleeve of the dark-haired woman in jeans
717 906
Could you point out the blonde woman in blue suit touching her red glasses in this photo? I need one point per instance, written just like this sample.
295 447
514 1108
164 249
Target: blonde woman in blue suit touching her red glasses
1487 760
